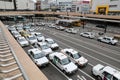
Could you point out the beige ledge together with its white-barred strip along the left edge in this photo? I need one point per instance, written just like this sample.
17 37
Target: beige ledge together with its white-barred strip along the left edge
9 49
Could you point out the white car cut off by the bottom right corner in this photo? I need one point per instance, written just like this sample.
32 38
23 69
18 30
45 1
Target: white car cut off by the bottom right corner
105 72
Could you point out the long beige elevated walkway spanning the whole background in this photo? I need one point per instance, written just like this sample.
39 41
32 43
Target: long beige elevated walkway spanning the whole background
7 13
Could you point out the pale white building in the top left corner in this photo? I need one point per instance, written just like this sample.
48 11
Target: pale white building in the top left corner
17 5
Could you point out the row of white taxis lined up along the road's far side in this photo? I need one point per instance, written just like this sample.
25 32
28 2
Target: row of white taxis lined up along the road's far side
91 35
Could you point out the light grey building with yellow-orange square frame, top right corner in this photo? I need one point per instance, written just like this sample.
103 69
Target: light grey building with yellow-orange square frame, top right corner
111 7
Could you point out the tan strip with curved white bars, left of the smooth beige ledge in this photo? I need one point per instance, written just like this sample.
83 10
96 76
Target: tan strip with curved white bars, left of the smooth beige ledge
10 68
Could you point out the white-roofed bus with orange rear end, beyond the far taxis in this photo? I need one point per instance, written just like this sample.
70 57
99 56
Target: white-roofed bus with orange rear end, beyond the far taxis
68 23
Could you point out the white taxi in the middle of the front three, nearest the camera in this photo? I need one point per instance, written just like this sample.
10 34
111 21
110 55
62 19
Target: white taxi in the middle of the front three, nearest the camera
63 62
